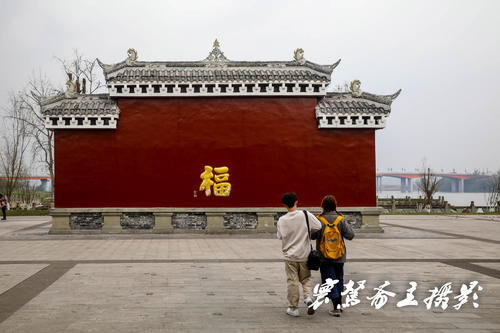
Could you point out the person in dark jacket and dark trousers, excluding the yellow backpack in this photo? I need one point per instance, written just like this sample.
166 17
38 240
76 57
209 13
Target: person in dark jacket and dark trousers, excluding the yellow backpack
333 268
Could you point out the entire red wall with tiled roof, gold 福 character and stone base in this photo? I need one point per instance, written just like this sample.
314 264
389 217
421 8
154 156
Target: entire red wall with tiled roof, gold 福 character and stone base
212 145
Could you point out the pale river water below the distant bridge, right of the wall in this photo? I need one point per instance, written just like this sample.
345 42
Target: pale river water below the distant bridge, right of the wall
454 199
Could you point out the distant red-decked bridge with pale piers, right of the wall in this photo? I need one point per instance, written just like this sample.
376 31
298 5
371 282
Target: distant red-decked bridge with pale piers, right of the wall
457 180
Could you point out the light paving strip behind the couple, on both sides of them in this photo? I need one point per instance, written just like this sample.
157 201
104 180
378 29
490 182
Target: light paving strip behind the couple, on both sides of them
228 248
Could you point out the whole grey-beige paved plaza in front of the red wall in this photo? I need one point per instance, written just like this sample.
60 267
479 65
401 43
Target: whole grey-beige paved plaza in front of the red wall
236 283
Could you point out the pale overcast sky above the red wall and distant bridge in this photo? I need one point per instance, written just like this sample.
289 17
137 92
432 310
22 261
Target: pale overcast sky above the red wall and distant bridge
445 55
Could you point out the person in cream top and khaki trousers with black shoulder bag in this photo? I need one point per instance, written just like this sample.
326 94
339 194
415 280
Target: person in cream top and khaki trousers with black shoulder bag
292 230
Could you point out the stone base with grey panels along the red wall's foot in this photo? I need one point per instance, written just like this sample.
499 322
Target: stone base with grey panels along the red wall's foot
182 220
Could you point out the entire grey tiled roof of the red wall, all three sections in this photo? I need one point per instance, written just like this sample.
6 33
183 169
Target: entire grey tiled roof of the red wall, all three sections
217 76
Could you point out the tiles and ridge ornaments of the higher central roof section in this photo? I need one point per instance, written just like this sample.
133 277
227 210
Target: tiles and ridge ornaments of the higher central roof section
216 68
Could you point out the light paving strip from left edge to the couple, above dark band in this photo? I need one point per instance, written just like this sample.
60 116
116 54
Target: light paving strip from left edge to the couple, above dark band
140 249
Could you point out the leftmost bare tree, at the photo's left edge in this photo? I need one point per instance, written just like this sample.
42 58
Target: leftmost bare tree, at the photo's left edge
15 144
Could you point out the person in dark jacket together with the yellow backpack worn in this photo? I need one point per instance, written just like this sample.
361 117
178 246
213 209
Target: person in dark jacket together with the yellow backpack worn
330 244
